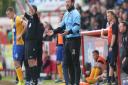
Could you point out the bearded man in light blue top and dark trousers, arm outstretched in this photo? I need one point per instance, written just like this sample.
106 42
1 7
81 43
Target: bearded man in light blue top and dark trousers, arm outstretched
71 26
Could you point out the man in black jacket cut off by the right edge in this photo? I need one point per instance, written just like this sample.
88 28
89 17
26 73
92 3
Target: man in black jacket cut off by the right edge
123 29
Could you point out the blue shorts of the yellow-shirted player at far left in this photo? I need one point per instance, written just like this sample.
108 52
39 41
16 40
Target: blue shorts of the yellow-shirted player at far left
18 52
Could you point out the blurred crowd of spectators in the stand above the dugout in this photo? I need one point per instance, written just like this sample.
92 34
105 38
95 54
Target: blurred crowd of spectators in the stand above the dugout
94 17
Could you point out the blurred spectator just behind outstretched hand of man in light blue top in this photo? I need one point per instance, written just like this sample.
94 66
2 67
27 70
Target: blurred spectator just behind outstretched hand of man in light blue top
47 27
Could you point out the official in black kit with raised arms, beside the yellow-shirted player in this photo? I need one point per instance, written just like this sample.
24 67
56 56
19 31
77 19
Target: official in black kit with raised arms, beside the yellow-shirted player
33 45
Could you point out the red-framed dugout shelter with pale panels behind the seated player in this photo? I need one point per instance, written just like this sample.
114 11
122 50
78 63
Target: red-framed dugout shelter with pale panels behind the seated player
92 40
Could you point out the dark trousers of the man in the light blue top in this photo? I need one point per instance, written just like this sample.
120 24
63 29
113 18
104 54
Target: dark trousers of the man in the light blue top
71 63
